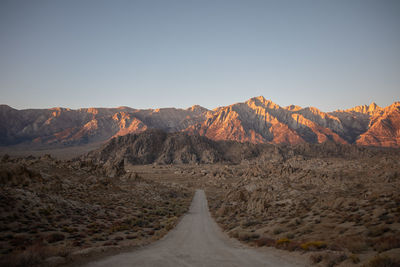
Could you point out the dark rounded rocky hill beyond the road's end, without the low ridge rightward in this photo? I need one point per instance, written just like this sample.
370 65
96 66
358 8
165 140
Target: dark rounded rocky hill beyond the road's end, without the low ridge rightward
155 146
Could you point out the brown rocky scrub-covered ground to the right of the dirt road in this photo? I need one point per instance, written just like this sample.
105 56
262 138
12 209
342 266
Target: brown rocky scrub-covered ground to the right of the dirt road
340 209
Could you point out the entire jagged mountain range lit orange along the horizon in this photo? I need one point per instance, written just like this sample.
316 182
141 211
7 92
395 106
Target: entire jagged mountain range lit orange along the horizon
257 120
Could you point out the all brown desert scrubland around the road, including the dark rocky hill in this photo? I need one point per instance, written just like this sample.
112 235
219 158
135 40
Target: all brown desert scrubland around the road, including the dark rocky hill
335 205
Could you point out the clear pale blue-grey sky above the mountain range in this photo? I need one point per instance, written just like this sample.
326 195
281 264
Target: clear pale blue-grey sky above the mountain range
148 54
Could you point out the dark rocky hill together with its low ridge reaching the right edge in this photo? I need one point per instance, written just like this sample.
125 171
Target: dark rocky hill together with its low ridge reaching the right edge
155 146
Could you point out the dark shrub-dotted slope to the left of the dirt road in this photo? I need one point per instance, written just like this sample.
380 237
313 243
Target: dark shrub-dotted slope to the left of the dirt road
52 212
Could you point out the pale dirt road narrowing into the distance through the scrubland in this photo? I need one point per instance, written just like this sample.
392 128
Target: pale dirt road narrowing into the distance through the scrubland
197 241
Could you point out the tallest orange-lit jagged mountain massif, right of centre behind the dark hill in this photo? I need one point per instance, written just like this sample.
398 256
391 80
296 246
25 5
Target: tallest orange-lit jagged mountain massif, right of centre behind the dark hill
261 121
